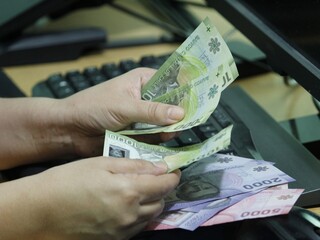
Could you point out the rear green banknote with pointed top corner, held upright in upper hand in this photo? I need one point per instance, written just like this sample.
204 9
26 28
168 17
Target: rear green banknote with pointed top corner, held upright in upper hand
201 53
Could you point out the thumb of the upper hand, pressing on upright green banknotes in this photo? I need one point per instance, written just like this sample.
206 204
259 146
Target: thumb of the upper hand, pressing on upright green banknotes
157 113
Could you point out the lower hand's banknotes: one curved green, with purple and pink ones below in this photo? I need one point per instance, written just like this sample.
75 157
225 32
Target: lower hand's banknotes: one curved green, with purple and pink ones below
215 188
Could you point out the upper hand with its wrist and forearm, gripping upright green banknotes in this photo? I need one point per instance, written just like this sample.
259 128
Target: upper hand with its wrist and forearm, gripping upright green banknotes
48 129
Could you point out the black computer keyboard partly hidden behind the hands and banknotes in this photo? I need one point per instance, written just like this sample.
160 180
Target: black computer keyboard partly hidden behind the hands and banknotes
60 85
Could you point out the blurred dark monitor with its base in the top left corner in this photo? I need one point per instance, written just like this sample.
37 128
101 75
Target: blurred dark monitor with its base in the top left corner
17 47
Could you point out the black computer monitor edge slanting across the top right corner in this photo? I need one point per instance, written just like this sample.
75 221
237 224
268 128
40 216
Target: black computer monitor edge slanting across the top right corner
287 31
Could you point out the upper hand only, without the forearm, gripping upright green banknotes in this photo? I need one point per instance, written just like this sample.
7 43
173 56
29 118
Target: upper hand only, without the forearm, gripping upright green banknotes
114 105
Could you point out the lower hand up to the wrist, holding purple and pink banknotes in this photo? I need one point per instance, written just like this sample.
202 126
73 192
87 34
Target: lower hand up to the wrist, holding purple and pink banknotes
101 198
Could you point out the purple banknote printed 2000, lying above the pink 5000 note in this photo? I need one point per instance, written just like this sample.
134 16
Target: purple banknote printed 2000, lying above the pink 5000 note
211 184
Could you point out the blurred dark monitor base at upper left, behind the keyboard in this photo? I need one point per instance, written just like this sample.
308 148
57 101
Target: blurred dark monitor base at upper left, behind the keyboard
50 47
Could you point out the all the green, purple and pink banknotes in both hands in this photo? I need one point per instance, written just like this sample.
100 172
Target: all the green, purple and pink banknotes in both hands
214 188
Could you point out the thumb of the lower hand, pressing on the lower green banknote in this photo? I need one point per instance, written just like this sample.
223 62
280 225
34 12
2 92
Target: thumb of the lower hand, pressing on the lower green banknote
135 166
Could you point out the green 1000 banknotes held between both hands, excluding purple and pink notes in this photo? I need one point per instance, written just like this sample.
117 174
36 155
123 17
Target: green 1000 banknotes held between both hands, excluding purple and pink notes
193 77
